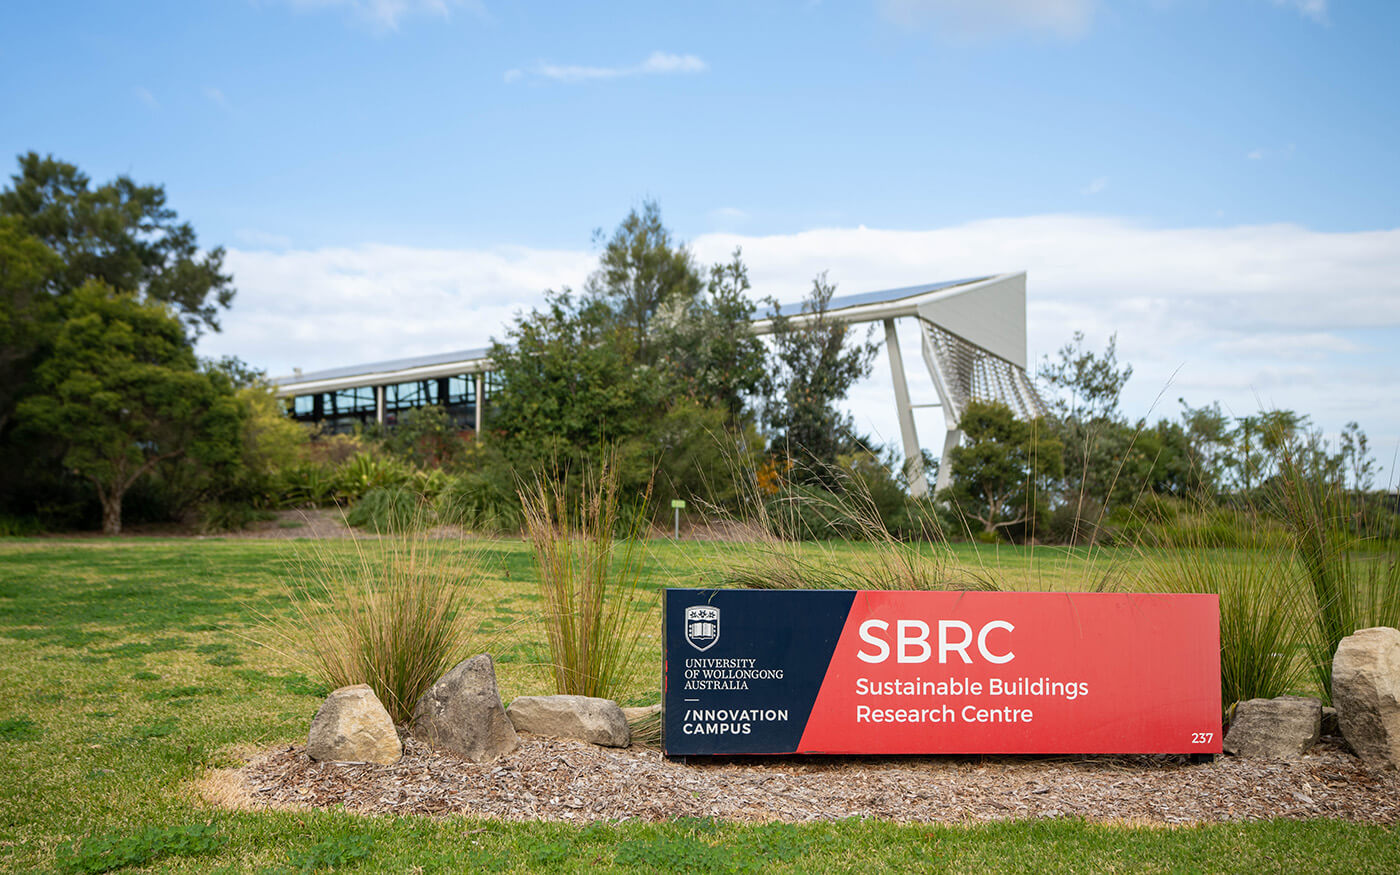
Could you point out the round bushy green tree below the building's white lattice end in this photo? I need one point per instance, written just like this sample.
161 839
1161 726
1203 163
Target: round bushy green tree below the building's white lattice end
1000 470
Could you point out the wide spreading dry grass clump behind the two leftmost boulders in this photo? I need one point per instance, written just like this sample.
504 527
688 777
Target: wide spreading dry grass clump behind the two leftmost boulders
393 612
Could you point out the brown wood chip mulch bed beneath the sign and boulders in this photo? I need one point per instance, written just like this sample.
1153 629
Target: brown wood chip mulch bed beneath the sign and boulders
566 780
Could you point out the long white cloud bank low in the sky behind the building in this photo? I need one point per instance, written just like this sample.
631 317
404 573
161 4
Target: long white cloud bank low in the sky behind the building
1276 316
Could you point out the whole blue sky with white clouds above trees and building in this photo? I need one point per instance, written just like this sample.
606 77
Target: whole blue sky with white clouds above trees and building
1213 180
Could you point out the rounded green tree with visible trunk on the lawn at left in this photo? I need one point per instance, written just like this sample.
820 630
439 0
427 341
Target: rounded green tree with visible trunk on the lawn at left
121 394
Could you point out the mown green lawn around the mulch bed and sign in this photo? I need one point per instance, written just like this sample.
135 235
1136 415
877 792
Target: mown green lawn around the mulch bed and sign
132 668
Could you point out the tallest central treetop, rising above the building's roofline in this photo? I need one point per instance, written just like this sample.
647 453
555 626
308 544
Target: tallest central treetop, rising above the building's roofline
642 269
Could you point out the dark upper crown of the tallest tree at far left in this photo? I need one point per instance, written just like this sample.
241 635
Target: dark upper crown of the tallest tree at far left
121 234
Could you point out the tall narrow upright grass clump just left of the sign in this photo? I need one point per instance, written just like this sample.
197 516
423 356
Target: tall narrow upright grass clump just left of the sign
587 552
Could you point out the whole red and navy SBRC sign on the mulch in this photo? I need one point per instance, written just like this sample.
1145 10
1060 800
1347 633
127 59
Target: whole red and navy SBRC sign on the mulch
761 671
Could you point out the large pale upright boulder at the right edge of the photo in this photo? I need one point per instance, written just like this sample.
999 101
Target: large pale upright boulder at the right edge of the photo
1366 689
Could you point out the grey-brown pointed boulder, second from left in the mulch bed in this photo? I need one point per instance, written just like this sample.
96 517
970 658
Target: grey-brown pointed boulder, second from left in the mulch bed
463 713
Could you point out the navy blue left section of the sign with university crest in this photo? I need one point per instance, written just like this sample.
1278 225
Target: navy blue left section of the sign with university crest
740 682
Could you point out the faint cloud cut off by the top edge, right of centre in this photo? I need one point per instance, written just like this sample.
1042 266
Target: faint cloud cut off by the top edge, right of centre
993 17
